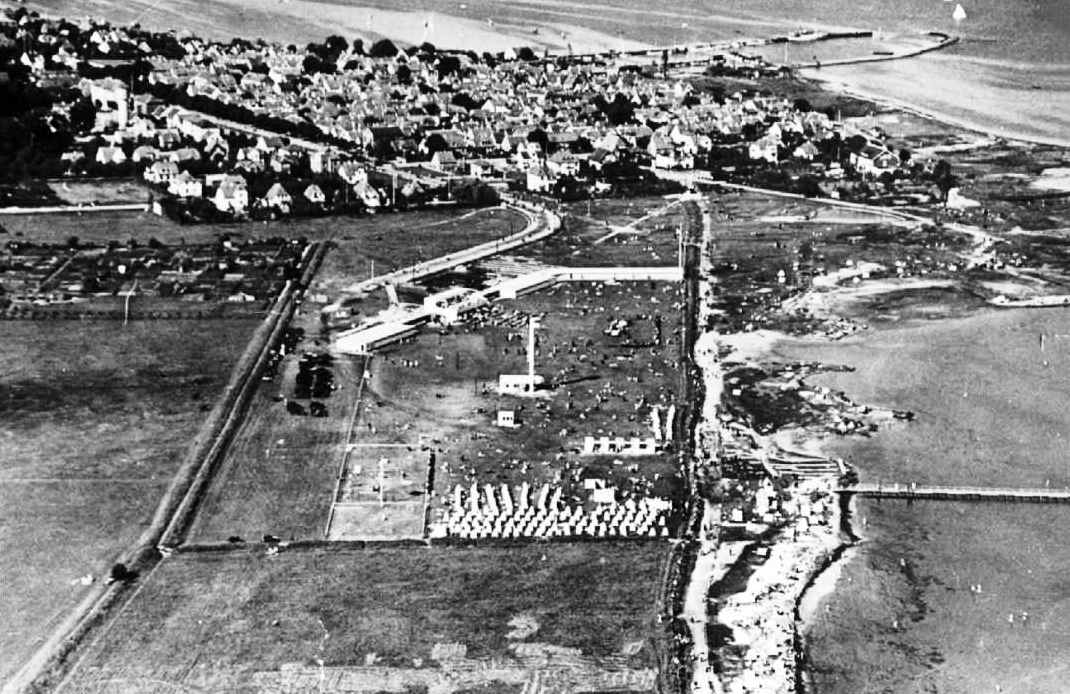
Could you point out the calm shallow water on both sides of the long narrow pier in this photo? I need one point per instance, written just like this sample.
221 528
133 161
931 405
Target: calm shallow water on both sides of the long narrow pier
990 412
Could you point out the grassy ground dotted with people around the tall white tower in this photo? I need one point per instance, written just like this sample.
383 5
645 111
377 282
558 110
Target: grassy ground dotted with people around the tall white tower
602 385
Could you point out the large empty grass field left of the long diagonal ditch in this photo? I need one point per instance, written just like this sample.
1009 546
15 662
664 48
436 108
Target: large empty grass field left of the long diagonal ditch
95 420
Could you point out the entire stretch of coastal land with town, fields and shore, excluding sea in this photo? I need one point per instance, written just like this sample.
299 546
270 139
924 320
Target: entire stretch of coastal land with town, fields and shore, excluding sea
374 366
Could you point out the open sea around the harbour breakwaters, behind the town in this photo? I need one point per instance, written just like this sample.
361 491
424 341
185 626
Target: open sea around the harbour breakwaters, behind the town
1010 74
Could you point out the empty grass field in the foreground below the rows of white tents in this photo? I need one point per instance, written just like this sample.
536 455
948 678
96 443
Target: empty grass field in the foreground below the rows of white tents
211 622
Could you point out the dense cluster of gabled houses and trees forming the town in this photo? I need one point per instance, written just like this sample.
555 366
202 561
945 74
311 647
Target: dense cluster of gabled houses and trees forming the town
429 118
